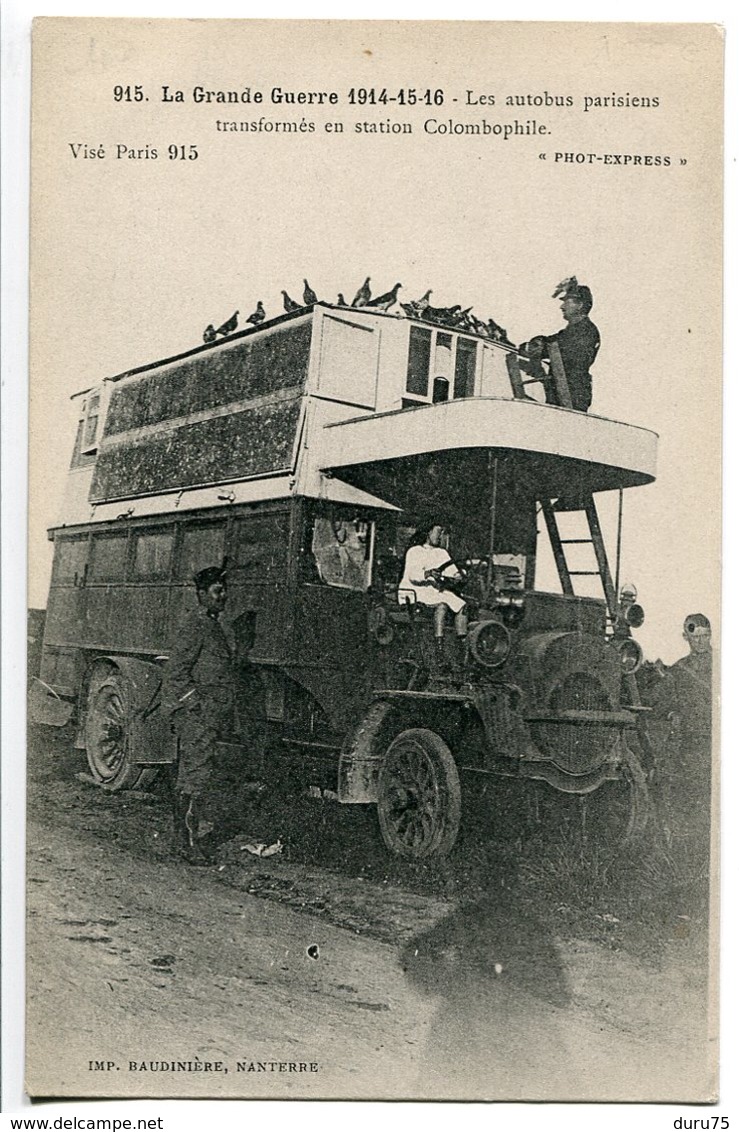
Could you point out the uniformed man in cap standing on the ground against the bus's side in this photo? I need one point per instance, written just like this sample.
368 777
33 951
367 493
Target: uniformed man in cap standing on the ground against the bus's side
199 693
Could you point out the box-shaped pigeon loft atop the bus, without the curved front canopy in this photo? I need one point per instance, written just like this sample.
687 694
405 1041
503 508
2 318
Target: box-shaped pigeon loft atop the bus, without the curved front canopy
250 406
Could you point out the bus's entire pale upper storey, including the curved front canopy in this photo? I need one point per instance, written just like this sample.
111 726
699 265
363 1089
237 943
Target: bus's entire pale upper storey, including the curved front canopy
283 410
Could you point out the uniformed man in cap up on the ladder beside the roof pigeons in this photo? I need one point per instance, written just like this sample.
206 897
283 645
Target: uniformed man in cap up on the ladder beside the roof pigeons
579 345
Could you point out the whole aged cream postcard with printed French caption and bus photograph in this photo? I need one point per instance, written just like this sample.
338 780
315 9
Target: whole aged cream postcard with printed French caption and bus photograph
375 561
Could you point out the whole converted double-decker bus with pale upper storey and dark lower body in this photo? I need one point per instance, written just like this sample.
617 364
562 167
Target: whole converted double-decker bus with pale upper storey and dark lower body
305 453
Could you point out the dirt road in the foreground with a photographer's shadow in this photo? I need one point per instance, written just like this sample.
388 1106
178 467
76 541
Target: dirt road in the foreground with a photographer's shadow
307 975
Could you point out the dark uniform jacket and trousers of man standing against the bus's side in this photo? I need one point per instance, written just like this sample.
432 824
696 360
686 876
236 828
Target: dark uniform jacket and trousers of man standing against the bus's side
199 692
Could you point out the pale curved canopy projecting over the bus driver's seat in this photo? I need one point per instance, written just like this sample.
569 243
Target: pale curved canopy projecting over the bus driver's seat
547 450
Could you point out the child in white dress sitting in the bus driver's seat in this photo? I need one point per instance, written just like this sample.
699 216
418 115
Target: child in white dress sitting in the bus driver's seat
428 569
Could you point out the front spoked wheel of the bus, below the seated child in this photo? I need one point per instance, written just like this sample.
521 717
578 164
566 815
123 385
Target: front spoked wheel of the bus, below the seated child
419 803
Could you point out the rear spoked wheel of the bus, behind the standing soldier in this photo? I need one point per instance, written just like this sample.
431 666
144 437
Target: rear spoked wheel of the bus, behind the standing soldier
108 736
